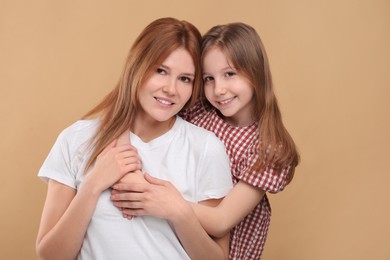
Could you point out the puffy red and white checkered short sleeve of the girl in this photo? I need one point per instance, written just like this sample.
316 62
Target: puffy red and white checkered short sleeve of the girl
269 179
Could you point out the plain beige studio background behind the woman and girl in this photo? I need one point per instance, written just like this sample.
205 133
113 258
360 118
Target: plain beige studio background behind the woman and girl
330 62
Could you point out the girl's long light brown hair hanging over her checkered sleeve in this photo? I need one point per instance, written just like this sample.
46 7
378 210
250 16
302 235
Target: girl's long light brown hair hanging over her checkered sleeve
244 49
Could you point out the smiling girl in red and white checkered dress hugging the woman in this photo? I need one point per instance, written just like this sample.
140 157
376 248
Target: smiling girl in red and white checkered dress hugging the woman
240 107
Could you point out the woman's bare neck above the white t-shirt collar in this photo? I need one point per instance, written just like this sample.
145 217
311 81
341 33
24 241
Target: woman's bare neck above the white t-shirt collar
147 131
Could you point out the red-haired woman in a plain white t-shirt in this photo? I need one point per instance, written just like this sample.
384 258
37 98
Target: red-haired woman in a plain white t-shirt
161 74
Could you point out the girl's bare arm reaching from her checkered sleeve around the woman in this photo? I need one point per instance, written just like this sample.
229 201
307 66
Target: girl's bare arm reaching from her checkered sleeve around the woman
239 202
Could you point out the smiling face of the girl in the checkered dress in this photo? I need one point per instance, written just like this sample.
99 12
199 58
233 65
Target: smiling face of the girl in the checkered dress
227 90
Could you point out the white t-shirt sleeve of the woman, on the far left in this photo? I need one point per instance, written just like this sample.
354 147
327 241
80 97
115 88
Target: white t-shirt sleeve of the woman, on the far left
58 164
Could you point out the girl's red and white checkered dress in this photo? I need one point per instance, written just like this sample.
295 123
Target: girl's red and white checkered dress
247 239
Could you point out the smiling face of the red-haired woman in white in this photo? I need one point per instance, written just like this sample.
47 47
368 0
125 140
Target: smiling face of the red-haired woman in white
169 88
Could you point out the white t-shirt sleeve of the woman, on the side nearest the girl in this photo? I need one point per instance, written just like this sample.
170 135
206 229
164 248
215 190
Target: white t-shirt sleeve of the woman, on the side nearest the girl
215 178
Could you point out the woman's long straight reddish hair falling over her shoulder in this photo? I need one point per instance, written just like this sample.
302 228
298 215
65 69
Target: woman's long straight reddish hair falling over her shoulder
155 43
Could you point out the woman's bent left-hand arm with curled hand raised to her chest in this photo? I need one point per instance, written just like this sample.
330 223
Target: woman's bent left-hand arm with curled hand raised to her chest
66 213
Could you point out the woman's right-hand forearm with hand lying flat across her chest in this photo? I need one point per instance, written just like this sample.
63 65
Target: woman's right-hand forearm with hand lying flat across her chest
161 199
